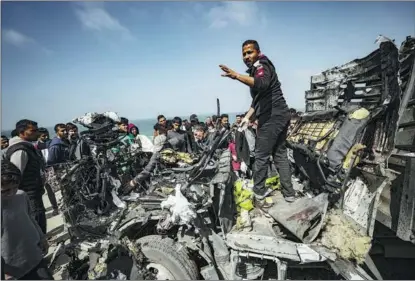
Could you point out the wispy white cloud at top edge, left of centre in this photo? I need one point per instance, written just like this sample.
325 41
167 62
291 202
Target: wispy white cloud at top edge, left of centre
96 18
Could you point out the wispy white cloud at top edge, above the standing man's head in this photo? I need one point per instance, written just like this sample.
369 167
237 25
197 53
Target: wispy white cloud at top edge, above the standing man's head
235 13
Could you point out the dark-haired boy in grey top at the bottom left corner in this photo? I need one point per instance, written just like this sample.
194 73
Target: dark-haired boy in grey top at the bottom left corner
23 243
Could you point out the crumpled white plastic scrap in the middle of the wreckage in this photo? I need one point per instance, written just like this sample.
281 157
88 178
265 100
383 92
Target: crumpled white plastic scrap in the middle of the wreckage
180 209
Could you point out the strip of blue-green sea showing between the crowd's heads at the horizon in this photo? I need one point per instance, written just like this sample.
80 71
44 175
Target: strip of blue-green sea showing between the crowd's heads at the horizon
145 125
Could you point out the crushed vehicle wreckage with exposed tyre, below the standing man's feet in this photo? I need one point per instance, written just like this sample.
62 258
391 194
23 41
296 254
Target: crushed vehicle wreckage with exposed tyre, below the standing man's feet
183 227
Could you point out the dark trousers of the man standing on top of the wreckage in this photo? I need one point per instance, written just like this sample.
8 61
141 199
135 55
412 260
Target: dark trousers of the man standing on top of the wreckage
271 137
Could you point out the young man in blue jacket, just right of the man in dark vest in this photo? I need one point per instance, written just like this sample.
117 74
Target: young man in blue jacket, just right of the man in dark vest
58 147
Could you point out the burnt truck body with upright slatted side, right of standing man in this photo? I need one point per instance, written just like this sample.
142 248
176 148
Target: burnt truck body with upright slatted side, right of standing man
356 141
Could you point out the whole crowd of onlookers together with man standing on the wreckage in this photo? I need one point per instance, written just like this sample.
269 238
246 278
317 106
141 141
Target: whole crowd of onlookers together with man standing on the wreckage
258 137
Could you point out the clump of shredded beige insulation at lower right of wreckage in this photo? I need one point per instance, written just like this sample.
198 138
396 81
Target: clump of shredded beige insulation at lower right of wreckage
341 236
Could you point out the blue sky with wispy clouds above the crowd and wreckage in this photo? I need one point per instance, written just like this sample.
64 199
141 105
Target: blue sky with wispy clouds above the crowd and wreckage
63 59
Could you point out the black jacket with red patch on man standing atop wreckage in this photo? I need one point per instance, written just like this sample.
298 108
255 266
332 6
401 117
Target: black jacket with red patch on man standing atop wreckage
267 97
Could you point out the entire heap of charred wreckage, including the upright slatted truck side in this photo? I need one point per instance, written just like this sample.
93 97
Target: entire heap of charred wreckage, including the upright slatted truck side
192 218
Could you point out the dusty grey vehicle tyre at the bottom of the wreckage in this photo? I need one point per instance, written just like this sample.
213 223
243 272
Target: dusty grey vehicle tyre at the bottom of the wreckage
169 256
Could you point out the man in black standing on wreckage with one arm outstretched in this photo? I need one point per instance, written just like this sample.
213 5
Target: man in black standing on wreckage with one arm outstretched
273 116
